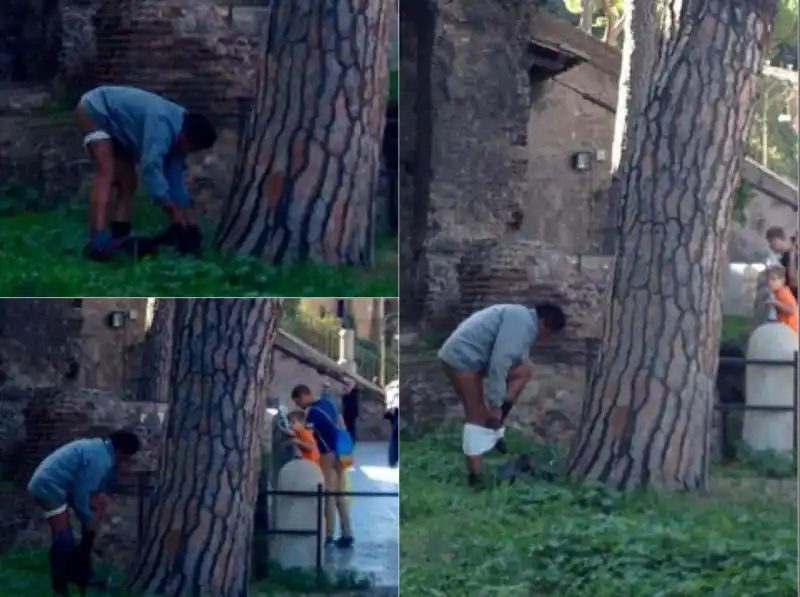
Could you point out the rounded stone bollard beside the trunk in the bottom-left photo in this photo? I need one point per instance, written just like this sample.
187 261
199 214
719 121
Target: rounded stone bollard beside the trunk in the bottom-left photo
297 513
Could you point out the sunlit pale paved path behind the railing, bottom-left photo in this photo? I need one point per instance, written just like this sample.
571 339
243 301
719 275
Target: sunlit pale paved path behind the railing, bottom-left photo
375 519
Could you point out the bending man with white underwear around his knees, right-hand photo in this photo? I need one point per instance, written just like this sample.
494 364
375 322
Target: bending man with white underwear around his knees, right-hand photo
487 361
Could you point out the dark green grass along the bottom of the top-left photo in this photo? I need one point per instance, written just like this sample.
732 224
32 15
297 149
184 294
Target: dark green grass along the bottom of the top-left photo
41 256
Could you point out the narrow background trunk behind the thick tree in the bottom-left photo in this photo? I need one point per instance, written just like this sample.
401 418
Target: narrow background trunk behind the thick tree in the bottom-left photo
158 352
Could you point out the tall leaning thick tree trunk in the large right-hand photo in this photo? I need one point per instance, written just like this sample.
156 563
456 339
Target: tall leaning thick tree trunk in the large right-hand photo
648 409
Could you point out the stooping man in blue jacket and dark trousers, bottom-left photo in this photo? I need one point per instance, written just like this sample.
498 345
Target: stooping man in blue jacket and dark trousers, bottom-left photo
76 476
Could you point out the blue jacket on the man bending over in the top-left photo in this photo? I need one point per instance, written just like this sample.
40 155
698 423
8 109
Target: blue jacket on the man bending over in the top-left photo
147 125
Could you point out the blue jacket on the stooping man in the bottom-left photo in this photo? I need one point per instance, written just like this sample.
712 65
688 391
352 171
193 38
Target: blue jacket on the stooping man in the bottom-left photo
72 473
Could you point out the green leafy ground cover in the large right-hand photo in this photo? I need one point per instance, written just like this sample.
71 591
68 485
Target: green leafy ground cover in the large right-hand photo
538 539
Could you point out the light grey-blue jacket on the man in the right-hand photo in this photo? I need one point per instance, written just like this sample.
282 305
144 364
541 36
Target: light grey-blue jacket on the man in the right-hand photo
493 341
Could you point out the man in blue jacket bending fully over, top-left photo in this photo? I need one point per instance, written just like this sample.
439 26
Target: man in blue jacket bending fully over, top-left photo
123 127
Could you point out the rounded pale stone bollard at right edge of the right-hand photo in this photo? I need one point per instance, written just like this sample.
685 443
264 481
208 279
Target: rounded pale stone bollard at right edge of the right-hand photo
770 385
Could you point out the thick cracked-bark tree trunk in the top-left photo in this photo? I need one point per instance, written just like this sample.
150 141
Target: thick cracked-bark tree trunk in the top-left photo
309 161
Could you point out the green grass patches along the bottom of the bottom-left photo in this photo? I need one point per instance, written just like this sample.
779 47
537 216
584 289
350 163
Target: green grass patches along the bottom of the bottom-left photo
25 573
